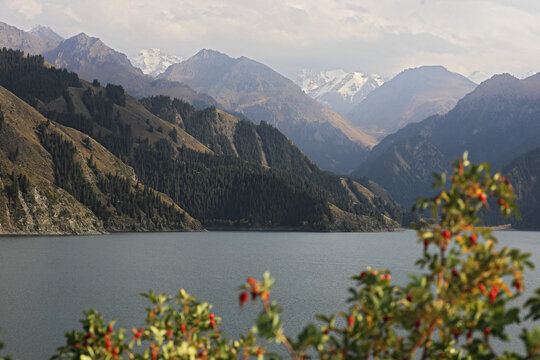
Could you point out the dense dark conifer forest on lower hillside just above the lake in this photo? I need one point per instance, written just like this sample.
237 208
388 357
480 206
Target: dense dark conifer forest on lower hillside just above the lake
223 190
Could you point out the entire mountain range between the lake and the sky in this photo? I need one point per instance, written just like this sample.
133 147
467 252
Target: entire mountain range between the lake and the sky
215 139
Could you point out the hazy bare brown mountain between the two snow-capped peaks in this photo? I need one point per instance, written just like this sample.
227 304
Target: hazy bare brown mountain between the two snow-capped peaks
248 87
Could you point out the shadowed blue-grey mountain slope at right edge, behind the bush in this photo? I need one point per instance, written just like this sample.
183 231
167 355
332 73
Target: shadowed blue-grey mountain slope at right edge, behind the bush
496 122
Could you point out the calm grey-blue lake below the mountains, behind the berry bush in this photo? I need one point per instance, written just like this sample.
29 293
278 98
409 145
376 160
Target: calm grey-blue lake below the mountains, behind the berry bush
46 282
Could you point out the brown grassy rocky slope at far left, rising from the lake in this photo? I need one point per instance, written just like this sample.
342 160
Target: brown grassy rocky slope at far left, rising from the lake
56 180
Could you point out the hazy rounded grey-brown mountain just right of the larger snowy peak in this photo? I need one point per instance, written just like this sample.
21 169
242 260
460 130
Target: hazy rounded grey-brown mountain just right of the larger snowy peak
409 97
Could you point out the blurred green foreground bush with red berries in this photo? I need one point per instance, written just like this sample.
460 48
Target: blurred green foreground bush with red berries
454 310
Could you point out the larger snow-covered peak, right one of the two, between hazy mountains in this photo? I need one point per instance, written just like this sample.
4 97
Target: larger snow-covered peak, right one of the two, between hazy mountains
338 89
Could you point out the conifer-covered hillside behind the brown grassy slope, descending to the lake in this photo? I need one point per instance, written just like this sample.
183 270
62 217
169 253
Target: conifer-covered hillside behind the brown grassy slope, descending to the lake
218 174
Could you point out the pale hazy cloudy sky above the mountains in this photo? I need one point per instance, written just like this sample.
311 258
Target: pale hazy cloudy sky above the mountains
373 36
